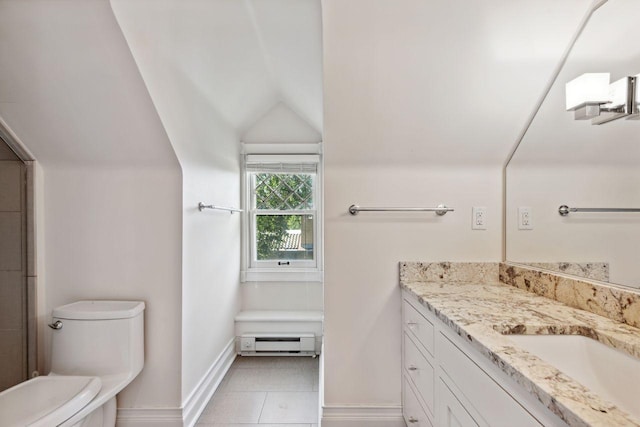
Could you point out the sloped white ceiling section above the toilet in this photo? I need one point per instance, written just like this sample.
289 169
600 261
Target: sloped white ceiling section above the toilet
69 87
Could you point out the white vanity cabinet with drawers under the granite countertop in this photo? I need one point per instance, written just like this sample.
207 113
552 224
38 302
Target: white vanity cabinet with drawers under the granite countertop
447 383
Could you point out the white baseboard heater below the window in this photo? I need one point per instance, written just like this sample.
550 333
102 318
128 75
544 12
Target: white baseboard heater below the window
279 344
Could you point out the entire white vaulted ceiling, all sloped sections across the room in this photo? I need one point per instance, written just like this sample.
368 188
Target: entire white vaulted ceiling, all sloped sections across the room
421 81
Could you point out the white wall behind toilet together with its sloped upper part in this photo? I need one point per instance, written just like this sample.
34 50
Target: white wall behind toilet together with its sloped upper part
110 223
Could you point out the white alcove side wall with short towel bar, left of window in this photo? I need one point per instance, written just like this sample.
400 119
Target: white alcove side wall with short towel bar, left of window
208 150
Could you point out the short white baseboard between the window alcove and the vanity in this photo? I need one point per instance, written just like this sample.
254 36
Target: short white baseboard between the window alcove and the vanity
362 416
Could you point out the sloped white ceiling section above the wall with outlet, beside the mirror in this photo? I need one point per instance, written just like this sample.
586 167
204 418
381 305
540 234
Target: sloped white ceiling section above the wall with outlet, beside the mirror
435 82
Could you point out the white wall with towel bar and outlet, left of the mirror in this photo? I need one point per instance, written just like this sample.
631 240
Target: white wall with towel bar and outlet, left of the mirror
362 296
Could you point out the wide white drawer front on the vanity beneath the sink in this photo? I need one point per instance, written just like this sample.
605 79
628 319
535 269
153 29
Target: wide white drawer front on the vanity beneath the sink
491 401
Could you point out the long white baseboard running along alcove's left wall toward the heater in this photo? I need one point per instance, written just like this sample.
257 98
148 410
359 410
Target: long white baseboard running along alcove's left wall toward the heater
200 396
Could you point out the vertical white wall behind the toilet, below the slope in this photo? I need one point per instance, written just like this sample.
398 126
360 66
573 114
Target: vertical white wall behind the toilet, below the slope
114 234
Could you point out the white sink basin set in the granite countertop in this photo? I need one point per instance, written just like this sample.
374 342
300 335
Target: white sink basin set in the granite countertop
608 372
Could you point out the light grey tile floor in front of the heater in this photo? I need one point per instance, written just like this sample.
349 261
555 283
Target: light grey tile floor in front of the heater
266 392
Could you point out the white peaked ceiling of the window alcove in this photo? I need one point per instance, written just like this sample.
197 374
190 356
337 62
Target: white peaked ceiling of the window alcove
243 56
